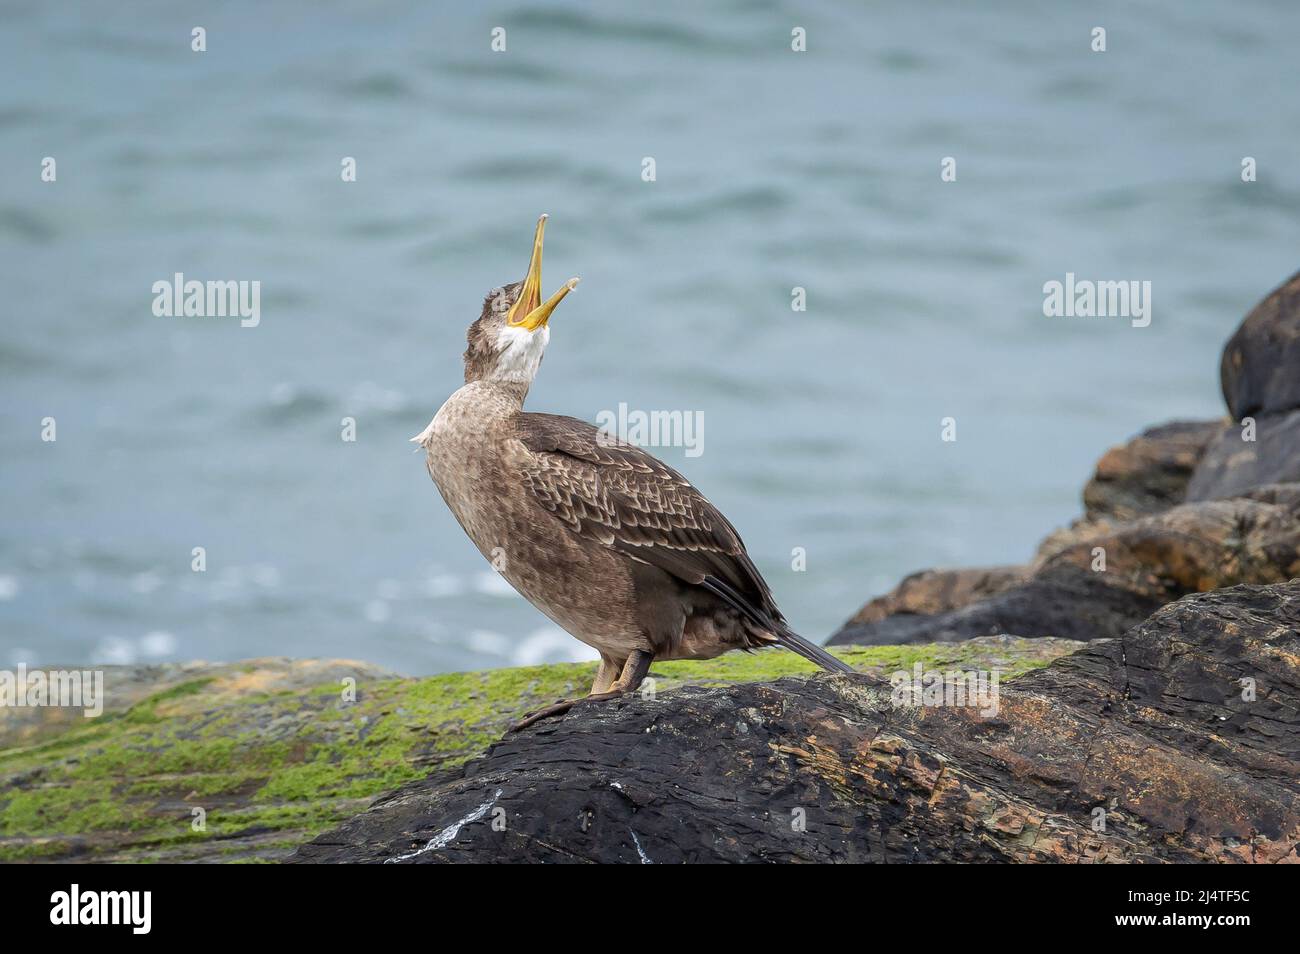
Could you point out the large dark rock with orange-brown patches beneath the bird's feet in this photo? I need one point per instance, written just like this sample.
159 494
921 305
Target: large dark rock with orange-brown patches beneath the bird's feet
1154 739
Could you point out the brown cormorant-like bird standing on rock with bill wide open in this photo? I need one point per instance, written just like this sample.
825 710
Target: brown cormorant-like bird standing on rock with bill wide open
612 544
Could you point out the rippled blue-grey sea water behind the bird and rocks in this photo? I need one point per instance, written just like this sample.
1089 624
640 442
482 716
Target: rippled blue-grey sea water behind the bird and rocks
774 170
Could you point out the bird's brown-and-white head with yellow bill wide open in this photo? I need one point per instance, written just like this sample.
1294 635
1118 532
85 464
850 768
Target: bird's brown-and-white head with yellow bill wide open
508 341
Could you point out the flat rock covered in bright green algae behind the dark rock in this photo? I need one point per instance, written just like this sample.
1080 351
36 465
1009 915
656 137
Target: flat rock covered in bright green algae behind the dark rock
274 752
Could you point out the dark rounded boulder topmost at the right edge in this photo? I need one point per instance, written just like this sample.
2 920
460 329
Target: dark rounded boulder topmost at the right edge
1260 370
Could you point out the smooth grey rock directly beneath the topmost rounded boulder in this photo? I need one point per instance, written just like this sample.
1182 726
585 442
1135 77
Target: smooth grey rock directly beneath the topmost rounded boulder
1232 466
